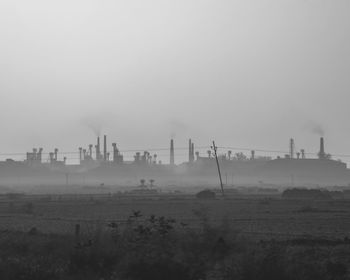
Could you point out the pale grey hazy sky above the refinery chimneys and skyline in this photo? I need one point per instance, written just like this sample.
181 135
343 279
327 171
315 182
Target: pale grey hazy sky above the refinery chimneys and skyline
249 73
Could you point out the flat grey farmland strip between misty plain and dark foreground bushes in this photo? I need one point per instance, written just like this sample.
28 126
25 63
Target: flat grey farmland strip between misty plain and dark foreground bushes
253 216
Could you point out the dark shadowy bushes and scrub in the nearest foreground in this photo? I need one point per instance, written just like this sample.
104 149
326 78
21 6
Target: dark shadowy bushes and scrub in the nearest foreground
155 247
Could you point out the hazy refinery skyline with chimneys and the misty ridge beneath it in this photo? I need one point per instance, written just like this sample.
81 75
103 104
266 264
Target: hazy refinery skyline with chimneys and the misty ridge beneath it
100 165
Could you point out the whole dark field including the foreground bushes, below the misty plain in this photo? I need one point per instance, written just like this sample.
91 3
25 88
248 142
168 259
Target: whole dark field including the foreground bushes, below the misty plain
172 236
